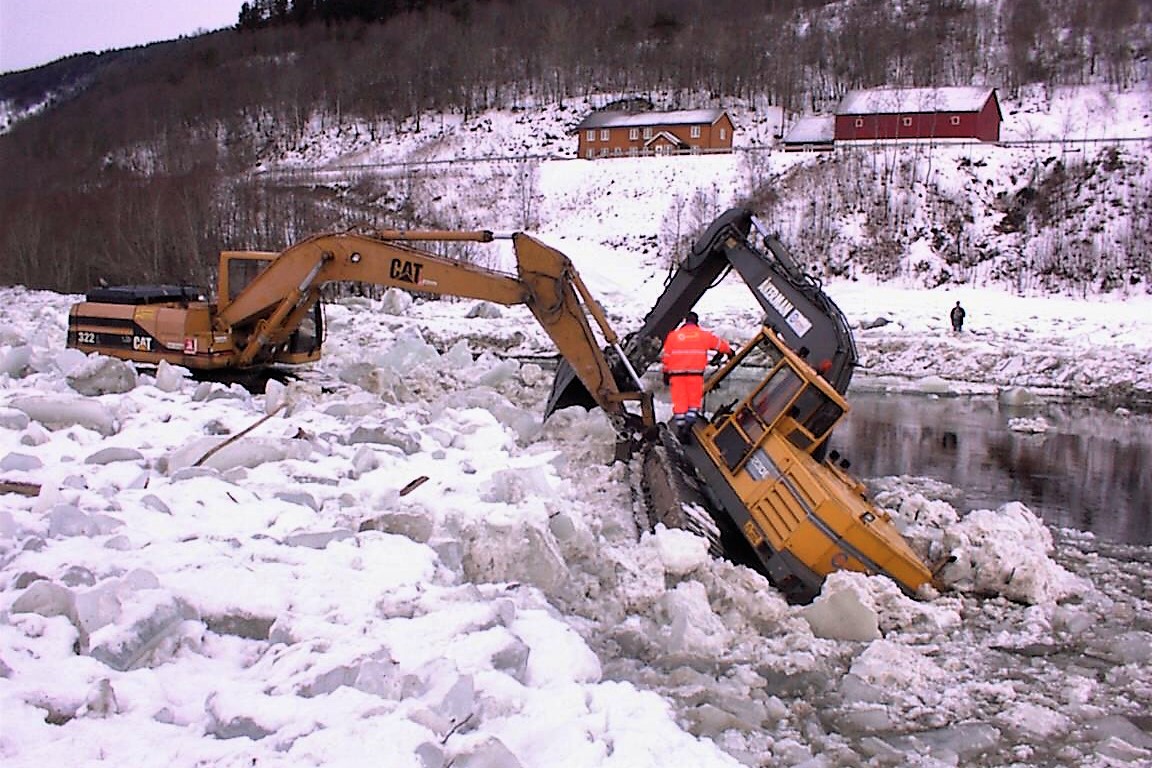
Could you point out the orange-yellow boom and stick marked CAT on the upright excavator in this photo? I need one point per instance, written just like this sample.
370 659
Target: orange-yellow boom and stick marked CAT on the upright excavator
269 310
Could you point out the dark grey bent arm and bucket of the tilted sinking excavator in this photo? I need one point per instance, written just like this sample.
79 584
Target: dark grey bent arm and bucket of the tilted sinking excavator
794 306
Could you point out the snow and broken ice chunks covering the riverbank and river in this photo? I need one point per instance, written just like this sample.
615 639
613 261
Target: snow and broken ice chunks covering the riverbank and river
284 603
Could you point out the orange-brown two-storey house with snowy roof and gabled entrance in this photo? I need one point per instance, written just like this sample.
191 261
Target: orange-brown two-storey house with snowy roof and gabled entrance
639 134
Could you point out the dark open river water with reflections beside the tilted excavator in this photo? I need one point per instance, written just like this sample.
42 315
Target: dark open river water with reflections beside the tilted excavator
1089 472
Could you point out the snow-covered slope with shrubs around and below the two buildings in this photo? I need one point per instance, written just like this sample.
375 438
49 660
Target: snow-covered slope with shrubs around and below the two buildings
1060 206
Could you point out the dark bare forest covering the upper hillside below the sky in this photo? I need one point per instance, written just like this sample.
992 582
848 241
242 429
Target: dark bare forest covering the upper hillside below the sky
134 168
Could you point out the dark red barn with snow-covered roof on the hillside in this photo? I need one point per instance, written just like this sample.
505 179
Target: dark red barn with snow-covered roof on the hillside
920 113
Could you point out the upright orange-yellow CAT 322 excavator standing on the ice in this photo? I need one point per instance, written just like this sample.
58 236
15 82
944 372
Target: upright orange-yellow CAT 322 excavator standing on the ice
268 309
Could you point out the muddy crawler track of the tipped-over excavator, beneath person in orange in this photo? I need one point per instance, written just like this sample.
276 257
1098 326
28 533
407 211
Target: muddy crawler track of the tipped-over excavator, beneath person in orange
665 491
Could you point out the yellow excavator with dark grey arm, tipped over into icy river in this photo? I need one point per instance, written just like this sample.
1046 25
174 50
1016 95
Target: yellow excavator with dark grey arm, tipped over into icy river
756 477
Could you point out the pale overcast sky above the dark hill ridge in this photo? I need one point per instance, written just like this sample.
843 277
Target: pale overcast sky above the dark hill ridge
34 33
